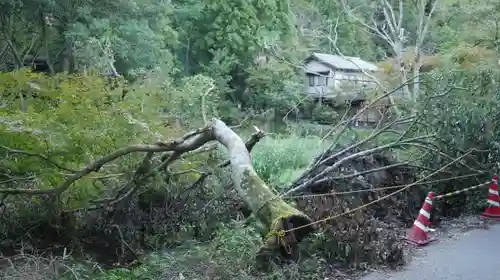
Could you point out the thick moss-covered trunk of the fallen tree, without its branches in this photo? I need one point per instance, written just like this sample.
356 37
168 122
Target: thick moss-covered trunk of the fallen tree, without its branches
279 218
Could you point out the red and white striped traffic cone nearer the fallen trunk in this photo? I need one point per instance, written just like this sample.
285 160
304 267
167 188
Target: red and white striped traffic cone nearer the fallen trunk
418 234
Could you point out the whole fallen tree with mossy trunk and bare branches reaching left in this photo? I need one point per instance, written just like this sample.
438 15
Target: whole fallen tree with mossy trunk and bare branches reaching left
270 210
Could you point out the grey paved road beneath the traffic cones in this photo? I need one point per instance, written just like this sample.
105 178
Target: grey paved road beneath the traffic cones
473 255
